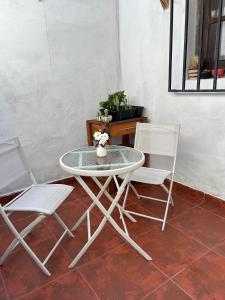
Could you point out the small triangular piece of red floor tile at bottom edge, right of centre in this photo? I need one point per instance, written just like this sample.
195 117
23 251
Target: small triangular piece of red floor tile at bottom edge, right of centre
168 291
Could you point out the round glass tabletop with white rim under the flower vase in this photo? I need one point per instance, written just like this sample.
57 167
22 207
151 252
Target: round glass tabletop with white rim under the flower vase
85 160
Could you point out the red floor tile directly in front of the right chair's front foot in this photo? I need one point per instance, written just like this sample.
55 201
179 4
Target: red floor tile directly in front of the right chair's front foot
171 250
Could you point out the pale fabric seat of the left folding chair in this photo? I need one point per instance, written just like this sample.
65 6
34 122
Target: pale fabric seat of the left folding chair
42 198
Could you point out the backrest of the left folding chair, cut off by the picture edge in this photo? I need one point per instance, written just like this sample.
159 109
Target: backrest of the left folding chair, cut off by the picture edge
15 174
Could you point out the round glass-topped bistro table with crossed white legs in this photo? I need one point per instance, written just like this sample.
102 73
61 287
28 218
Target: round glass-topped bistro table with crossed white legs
119 160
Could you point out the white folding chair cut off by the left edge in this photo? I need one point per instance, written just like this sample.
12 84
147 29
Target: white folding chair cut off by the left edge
42 199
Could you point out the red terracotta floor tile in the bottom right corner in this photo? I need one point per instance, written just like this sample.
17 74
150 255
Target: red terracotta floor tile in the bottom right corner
205 278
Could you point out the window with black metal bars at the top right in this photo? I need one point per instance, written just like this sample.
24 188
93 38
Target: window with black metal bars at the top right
197 46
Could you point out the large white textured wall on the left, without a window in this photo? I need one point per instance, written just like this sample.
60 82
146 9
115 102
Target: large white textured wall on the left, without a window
58 59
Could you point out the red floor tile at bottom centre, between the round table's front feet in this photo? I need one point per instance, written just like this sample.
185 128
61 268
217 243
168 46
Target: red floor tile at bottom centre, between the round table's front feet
122 274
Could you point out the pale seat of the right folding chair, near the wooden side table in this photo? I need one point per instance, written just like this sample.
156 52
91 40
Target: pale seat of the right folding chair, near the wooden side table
149 175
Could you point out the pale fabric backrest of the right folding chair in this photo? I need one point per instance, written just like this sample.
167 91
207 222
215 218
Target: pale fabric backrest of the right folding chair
157 139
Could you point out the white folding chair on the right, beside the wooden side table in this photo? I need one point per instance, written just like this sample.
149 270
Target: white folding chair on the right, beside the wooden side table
156 140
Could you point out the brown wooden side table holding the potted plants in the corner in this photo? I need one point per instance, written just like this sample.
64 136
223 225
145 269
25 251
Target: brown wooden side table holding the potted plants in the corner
118 128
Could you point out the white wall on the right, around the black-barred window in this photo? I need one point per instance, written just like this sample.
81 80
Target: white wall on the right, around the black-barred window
144 35
